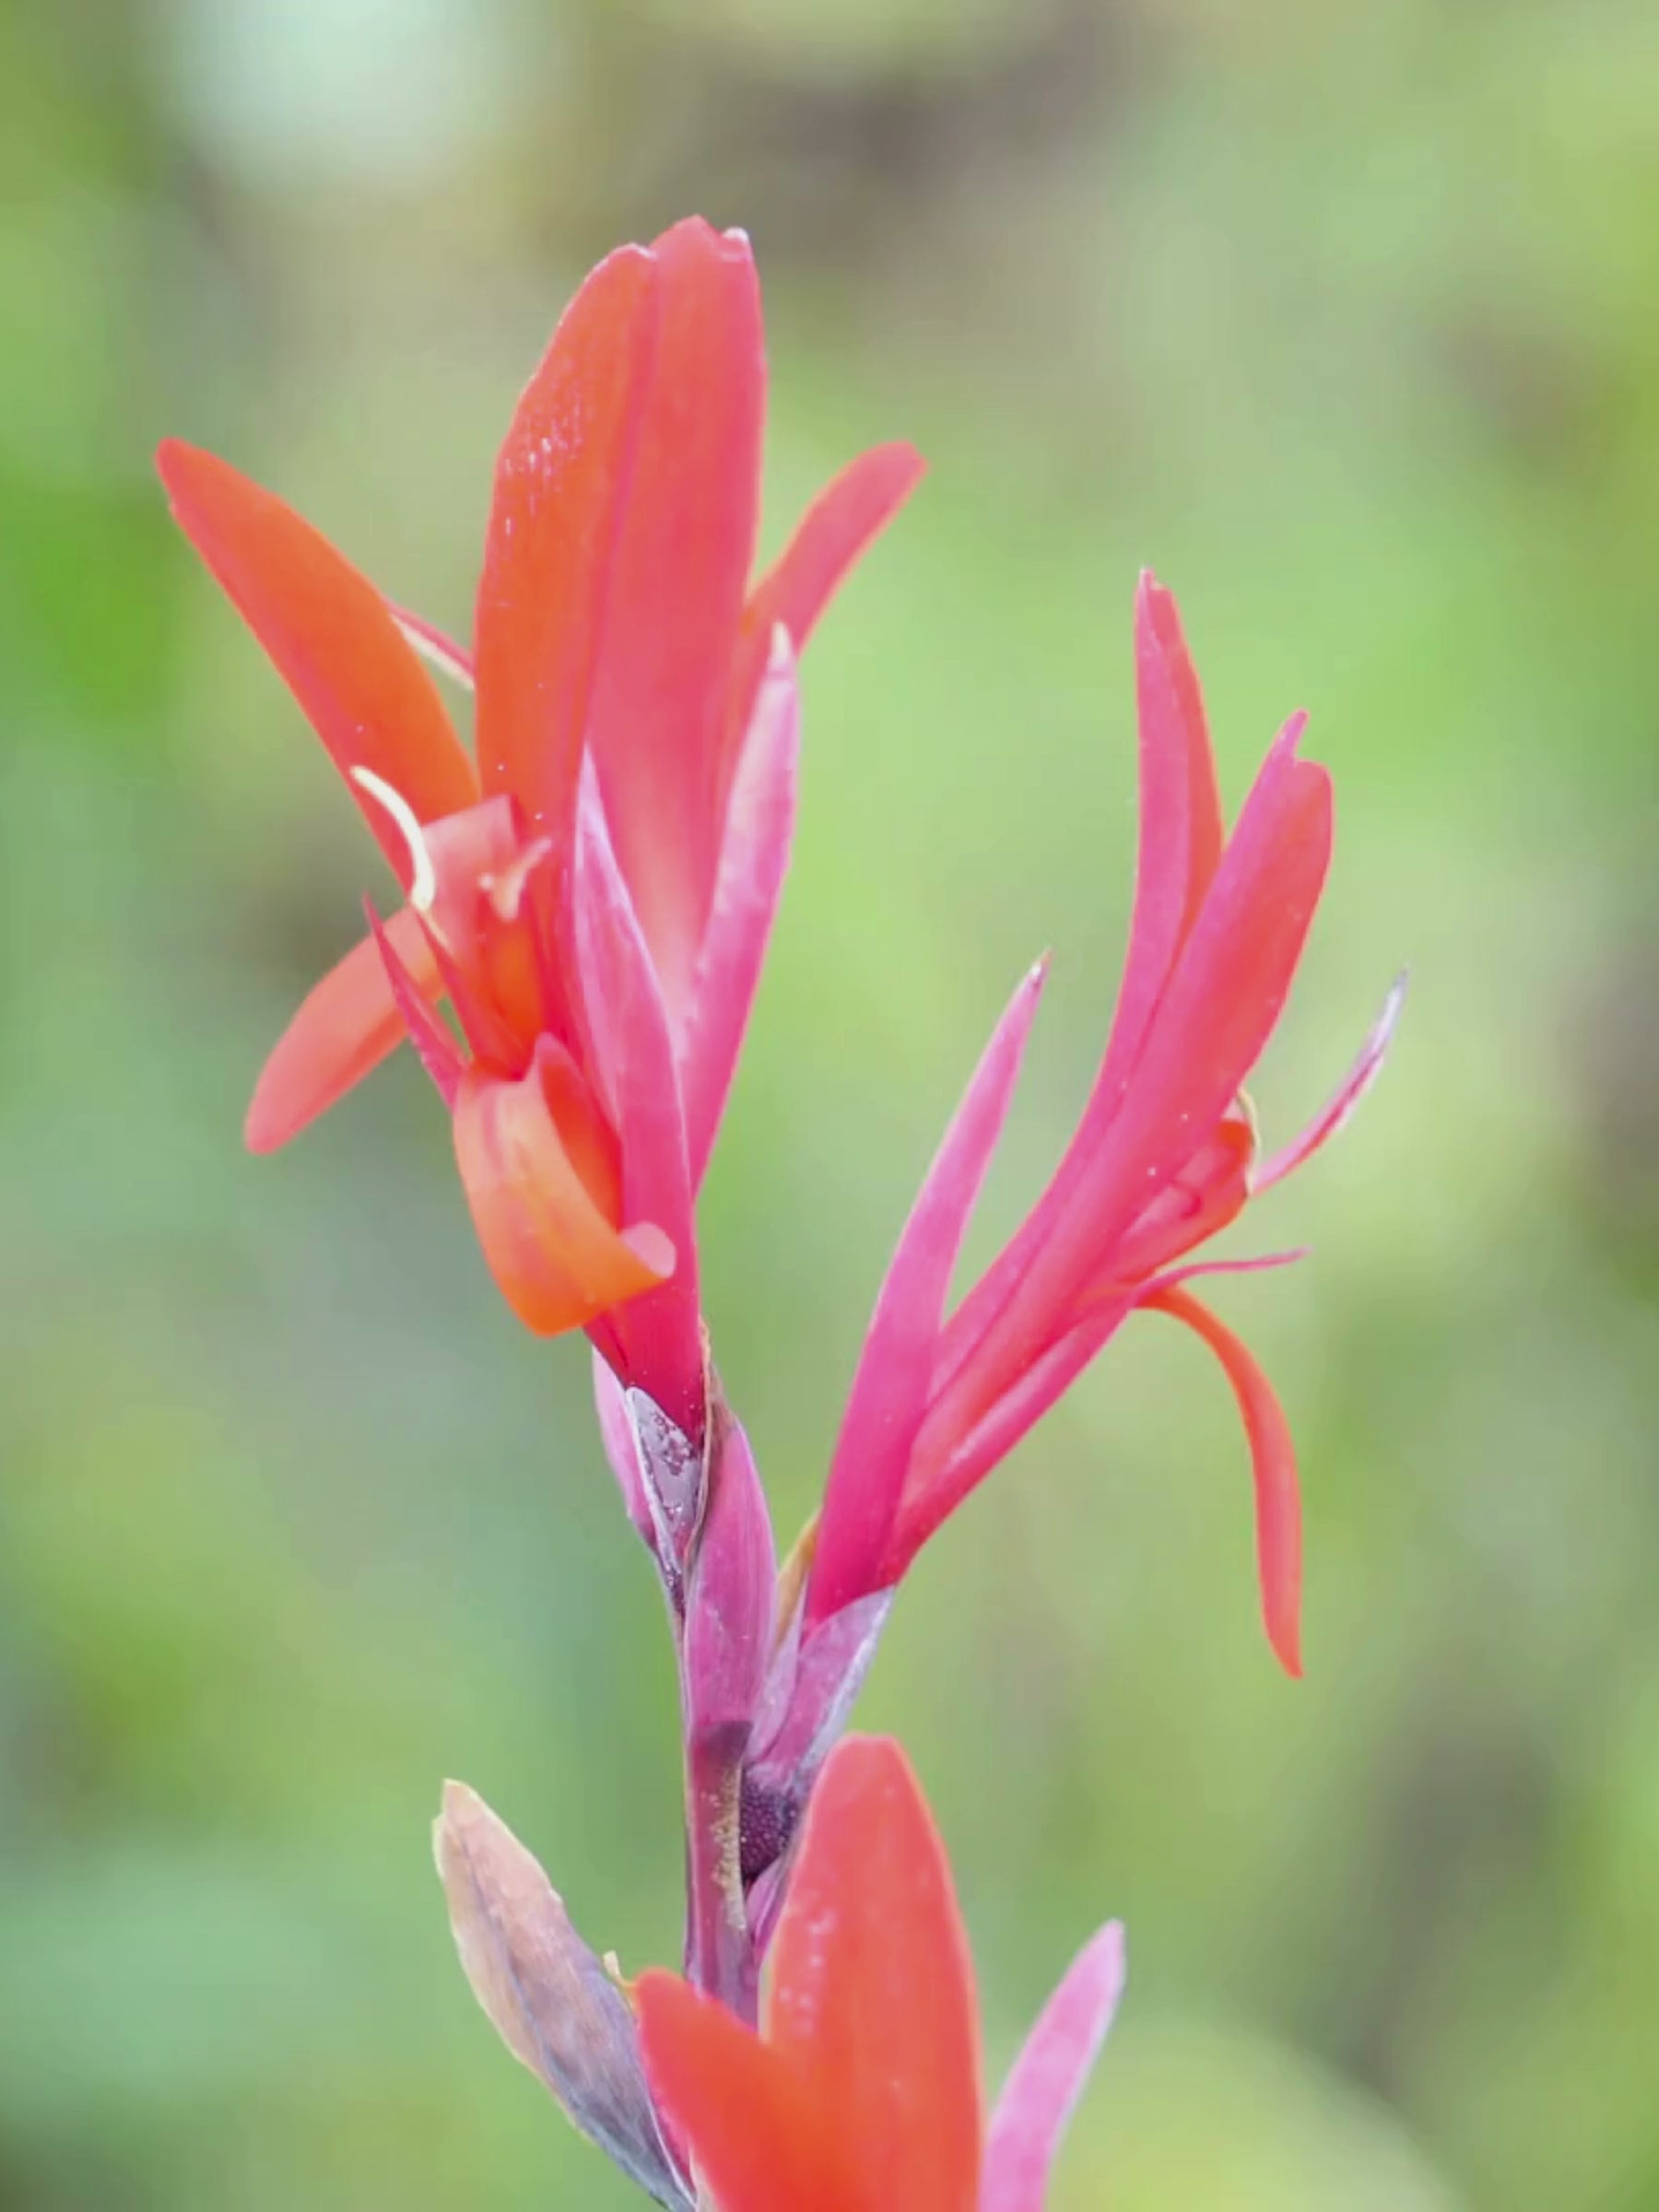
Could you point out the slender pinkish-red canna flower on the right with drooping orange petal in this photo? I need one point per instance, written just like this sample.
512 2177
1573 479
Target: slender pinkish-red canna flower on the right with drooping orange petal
1162 1160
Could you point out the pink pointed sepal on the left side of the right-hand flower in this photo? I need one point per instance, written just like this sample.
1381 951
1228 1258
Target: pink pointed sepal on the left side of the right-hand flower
890 1390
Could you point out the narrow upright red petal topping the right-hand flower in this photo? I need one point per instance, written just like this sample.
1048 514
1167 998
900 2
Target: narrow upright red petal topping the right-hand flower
1180 839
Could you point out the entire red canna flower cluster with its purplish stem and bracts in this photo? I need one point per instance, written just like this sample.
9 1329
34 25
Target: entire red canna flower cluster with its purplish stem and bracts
585 908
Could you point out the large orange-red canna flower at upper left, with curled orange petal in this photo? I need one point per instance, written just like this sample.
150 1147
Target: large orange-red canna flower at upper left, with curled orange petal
592 895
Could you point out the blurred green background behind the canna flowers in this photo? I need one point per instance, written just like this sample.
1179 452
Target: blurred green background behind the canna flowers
1348 320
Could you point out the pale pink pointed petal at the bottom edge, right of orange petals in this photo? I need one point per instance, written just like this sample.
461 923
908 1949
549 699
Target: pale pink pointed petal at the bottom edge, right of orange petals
1050 2078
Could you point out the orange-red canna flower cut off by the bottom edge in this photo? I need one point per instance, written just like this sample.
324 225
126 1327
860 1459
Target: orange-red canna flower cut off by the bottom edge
864 2087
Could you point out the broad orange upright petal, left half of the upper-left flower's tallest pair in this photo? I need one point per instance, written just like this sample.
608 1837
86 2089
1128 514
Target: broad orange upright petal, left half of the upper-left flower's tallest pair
561 494
